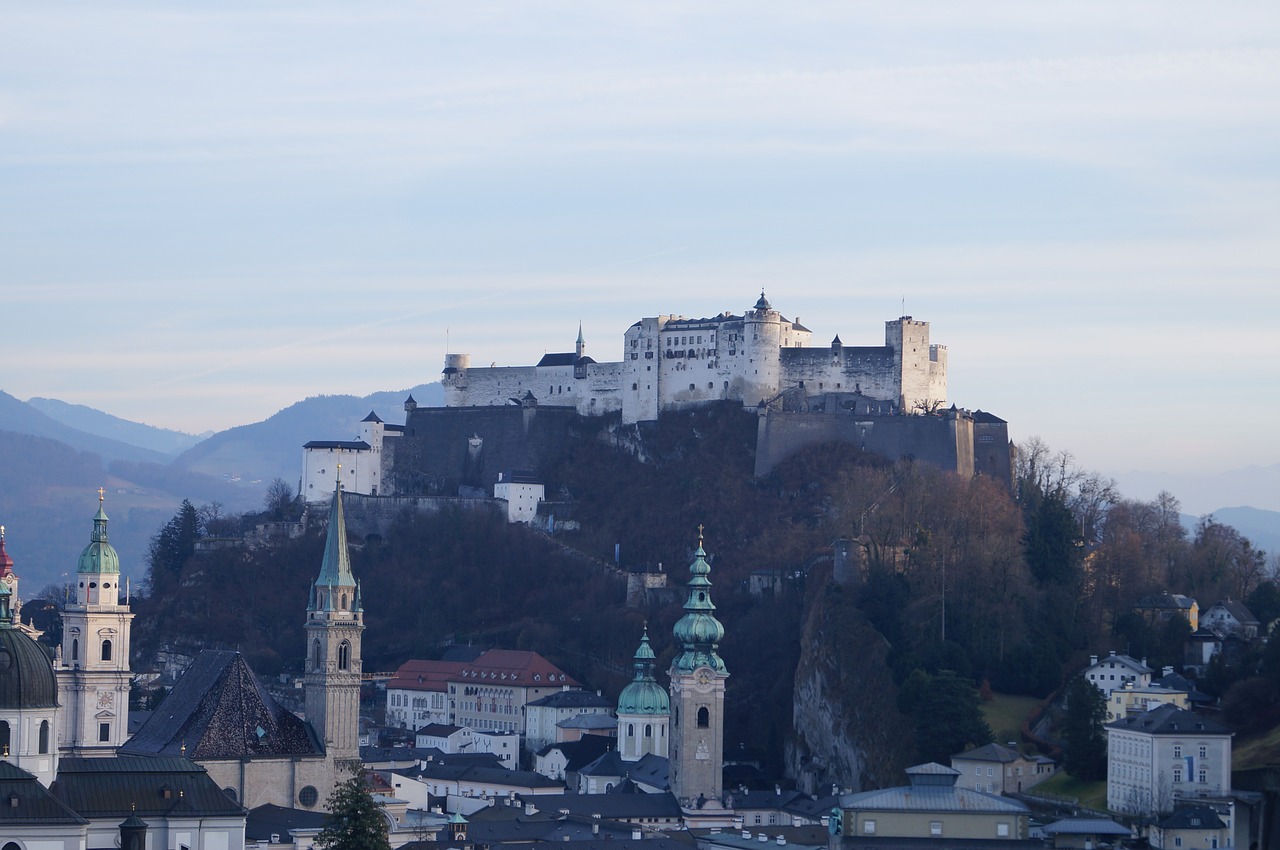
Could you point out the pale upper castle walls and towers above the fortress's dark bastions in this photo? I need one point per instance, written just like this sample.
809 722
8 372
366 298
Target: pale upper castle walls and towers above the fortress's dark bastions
674 363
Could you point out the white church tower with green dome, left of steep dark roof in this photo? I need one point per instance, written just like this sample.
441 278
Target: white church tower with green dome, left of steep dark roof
94 673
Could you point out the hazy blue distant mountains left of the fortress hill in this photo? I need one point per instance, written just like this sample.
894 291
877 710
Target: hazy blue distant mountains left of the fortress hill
56 455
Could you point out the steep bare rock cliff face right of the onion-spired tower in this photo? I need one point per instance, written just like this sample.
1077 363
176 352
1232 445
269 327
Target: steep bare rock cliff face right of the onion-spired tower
848 730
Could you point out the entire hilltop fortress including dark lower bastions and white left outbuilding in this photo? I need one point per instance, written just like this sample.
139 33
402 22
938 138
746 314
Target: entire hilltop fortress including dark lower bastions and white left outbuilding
889 400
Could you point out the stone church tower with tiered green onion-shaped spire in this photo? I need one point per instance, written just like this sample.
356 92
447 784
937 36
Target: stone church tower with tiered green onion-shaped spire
698 678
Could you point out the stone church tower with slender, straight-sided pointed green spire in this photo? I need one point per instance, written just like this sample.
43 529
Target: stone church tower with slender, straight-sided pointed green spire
336 620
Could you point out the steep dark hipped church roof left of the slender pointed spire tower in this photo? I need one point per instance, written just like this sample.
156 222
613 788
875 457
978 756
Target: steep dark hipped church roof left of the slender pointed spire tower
220 711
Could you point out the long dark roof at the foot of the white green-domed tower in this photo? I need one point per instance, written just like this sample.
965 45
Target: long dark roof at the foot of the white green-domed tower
109 788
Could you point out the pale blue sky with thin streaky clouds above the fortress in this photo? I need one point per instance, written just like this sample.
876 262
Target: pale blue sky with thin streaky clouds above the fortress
212 211
